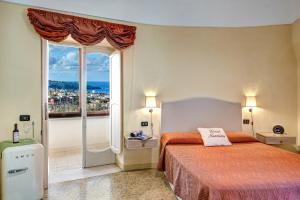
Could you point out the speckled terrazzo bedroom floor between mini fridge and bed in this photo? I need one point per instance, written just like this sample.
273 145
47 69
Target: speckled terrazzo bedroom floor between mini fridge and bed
133 185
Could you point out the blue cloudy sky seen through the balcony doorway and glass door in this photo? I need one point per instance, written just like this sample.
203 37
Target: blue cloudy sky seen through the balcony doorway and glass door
64 64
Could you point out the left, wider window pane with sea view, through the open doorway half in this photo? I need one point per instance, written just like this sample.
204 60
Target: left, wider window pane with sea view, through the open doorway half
64 79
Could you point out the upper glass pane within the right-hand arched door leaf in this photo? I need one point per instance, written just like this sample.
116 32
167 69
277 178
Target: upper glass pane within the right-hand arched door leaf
97 83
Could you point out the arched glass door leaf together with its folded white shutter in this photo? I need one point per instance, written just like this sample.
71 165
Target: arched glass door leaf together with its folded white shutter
101 124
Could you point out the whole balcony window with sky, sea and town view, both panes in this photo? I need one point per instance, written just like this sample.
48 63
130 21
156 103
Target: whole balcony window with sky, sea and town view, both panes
64 82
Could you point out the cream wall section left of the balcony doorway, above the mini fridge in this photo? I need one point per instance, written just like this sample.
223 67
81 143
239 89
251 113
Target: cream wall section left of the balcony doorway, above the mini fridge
20 70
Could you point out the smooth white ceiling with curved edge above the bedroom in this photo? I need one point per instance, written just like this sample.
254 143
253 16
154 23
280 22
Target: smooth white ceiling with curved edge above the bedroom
216 13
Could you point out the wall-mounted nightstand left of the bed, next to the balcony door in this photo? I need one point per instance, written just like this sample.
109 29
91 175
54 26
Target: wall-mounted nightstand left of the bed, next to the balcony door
139 144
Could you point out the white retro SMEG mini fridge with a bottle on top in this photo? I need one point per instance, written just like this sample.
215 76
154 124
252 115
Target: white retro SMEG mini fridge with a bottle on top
22 172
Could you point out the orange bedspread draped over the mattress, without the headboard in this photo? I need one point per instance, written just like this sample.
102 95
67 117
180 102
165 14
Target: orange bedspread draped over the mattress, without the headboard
247 170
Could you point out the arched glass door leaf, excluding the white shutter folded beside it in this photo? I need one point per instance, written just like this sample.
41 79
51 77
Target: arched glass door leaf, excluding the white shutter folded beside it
96 108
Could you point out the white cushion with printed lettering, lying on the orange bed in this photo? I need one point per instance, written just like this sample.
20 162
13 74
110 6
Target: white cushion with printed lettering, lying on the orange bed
214 137
